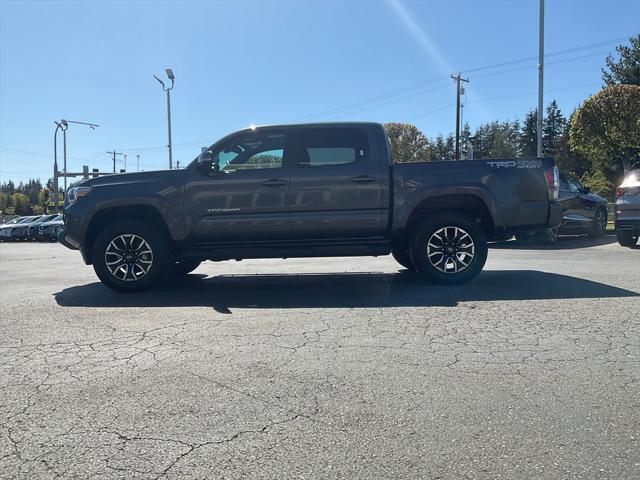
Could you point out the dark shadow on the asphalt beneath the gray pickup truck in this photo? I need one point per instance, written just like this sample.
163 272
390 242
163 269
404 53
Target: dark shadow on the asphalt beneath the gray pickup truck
343 290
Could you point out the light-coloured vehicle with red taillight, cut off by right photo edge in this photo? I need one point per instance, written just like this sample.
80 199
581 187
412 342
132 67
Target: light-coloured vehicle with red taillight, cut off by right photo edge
627 209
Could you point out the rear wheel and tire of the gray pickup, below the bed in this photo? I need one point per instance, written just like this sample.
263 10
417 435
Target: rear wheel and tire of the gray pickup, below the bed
449 248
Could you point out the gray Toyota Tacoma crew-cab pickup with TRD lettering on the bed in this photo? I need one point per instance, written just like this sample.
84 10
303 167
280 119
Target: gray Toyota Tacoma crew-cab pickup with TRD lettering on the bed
306 191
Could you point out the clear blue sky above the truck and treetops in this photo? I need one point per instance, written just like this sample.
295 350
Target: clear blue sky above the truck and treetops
241 63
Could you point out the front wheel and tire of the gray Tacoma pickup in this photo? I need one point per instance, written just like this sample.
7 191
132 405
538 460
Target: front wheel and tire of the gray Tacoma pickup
144 243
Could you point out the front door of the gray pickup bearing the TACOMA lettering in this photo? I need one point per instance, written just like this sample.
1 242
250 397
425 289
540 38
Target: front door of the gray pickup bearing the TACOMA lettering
240 194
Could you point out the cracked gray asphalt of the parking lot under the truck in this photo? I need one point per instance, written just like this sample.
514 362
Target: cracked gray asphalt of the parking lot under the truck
324 368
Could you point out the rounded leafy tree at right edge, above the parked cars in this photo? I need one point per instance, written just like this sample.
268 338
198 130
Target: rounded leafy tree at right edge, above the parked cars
606 128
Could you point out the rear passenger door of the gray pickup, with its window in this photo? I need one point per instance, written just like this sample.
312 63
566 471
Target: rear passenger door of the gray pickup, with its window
336 184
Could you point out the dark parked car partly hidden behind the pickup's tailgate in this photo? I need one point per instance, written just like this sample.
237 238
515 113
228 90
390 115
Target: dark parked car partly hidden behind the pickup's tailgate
583 212
